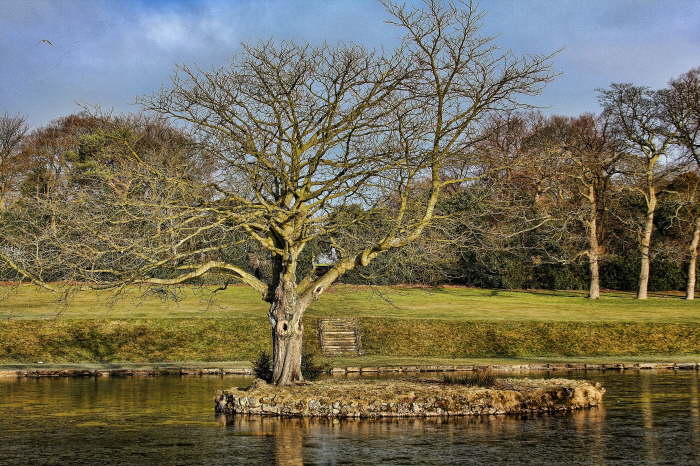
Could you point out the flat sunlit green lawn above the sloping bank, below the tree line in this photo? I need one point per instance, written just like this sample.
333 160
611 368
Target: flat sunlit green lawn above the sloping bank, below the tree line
444 303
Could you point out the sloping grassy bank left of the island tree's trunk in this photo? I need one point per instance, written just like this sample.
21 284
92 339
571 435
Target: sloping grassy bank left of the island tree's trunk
64 341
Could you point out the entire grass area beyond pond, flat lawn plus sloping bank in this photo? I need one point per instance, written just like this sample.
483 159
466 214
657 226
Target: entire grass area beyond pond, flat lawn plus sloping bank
396 322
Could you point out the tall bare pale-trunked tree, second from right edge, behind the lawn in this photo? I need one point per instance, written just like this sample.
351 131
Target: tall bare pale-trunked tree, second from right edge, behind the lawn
637 114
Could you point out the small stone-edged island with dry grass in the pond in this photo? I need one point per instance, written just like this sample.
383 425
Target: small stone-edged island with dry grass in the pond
404 398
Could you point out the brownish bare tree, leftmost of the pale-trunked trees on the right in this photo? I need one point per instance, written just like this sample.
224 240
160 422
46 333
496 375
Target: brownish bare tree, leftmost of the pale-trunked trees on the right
569 163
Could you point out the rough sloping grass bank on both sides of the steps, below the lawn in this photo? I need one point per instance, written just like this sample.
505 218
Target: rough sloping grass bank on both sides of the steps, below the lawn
231 339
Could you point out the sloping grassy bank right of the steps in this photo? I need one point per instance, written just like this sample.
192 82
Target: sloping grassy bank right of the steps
444 339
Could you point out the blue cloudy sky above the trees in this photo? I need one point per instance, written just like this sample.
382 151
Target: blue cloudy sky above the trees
107 52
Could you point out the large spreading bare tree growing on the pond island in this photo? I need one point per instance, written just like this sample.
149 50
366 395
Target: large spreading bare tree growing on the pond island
299 134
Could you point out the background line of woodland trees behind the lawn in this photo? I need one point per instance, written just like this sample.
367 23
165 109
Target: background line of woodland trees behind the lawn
556 202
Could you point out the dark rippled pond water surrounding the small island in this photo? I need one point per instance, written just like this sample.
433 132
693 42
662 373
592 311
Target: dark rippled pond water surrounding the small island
648 417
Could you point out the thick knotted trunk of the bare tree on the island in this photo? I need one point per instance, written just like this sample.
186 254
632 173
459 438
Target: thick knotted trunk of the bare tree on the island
285 315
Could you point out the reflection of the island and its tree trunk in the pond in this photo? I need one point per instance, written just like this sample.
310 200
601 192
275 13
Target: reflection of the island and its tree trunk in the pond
293 437
